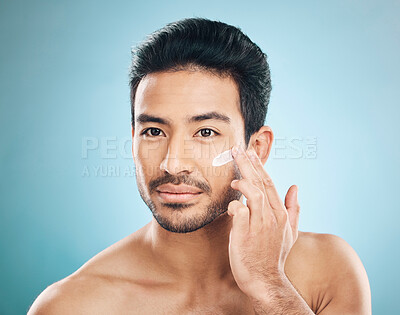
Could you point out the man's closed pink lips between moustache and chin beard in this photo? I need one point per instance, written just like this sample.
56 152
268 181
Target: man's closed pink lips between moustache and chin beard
178 193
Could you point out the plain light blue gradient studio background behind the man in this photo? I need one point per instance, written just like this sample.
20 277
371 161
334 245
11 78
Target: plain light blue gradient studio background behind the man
64 76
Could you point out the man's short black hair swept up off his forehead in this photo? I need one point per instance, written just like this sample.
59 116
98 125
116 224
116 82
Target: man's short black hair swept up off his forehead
212 46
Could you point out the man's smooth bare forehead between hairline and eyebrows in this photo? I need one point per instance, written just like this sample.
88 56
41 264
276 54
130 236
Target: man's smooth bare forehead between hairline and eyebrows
186 93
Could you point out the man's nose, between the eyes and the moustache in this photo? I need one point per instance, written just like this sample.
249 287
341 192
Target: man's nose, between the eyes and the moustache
177 160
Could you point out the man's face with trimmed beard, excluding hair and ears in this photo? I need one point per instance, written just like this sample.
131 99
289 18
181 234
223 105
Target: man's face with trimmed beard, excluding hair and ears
182 121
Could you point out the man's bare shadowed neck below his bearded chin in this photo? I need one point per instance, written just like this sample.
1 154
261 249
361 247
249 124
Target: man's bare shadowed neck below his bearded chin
197 258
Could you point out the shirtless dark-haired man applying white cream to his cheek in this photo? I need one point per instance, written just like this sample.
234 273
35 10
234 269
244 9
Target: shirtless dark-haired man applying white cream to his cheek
199 88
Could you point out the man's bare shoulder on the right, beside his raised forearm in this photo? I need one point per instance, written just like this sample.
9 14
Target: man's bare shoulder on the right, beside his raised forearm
331 274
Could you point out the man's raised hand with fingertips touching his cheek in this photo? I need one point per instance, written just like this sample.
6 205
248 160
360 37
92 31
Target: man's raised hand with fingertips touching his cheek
264 231
